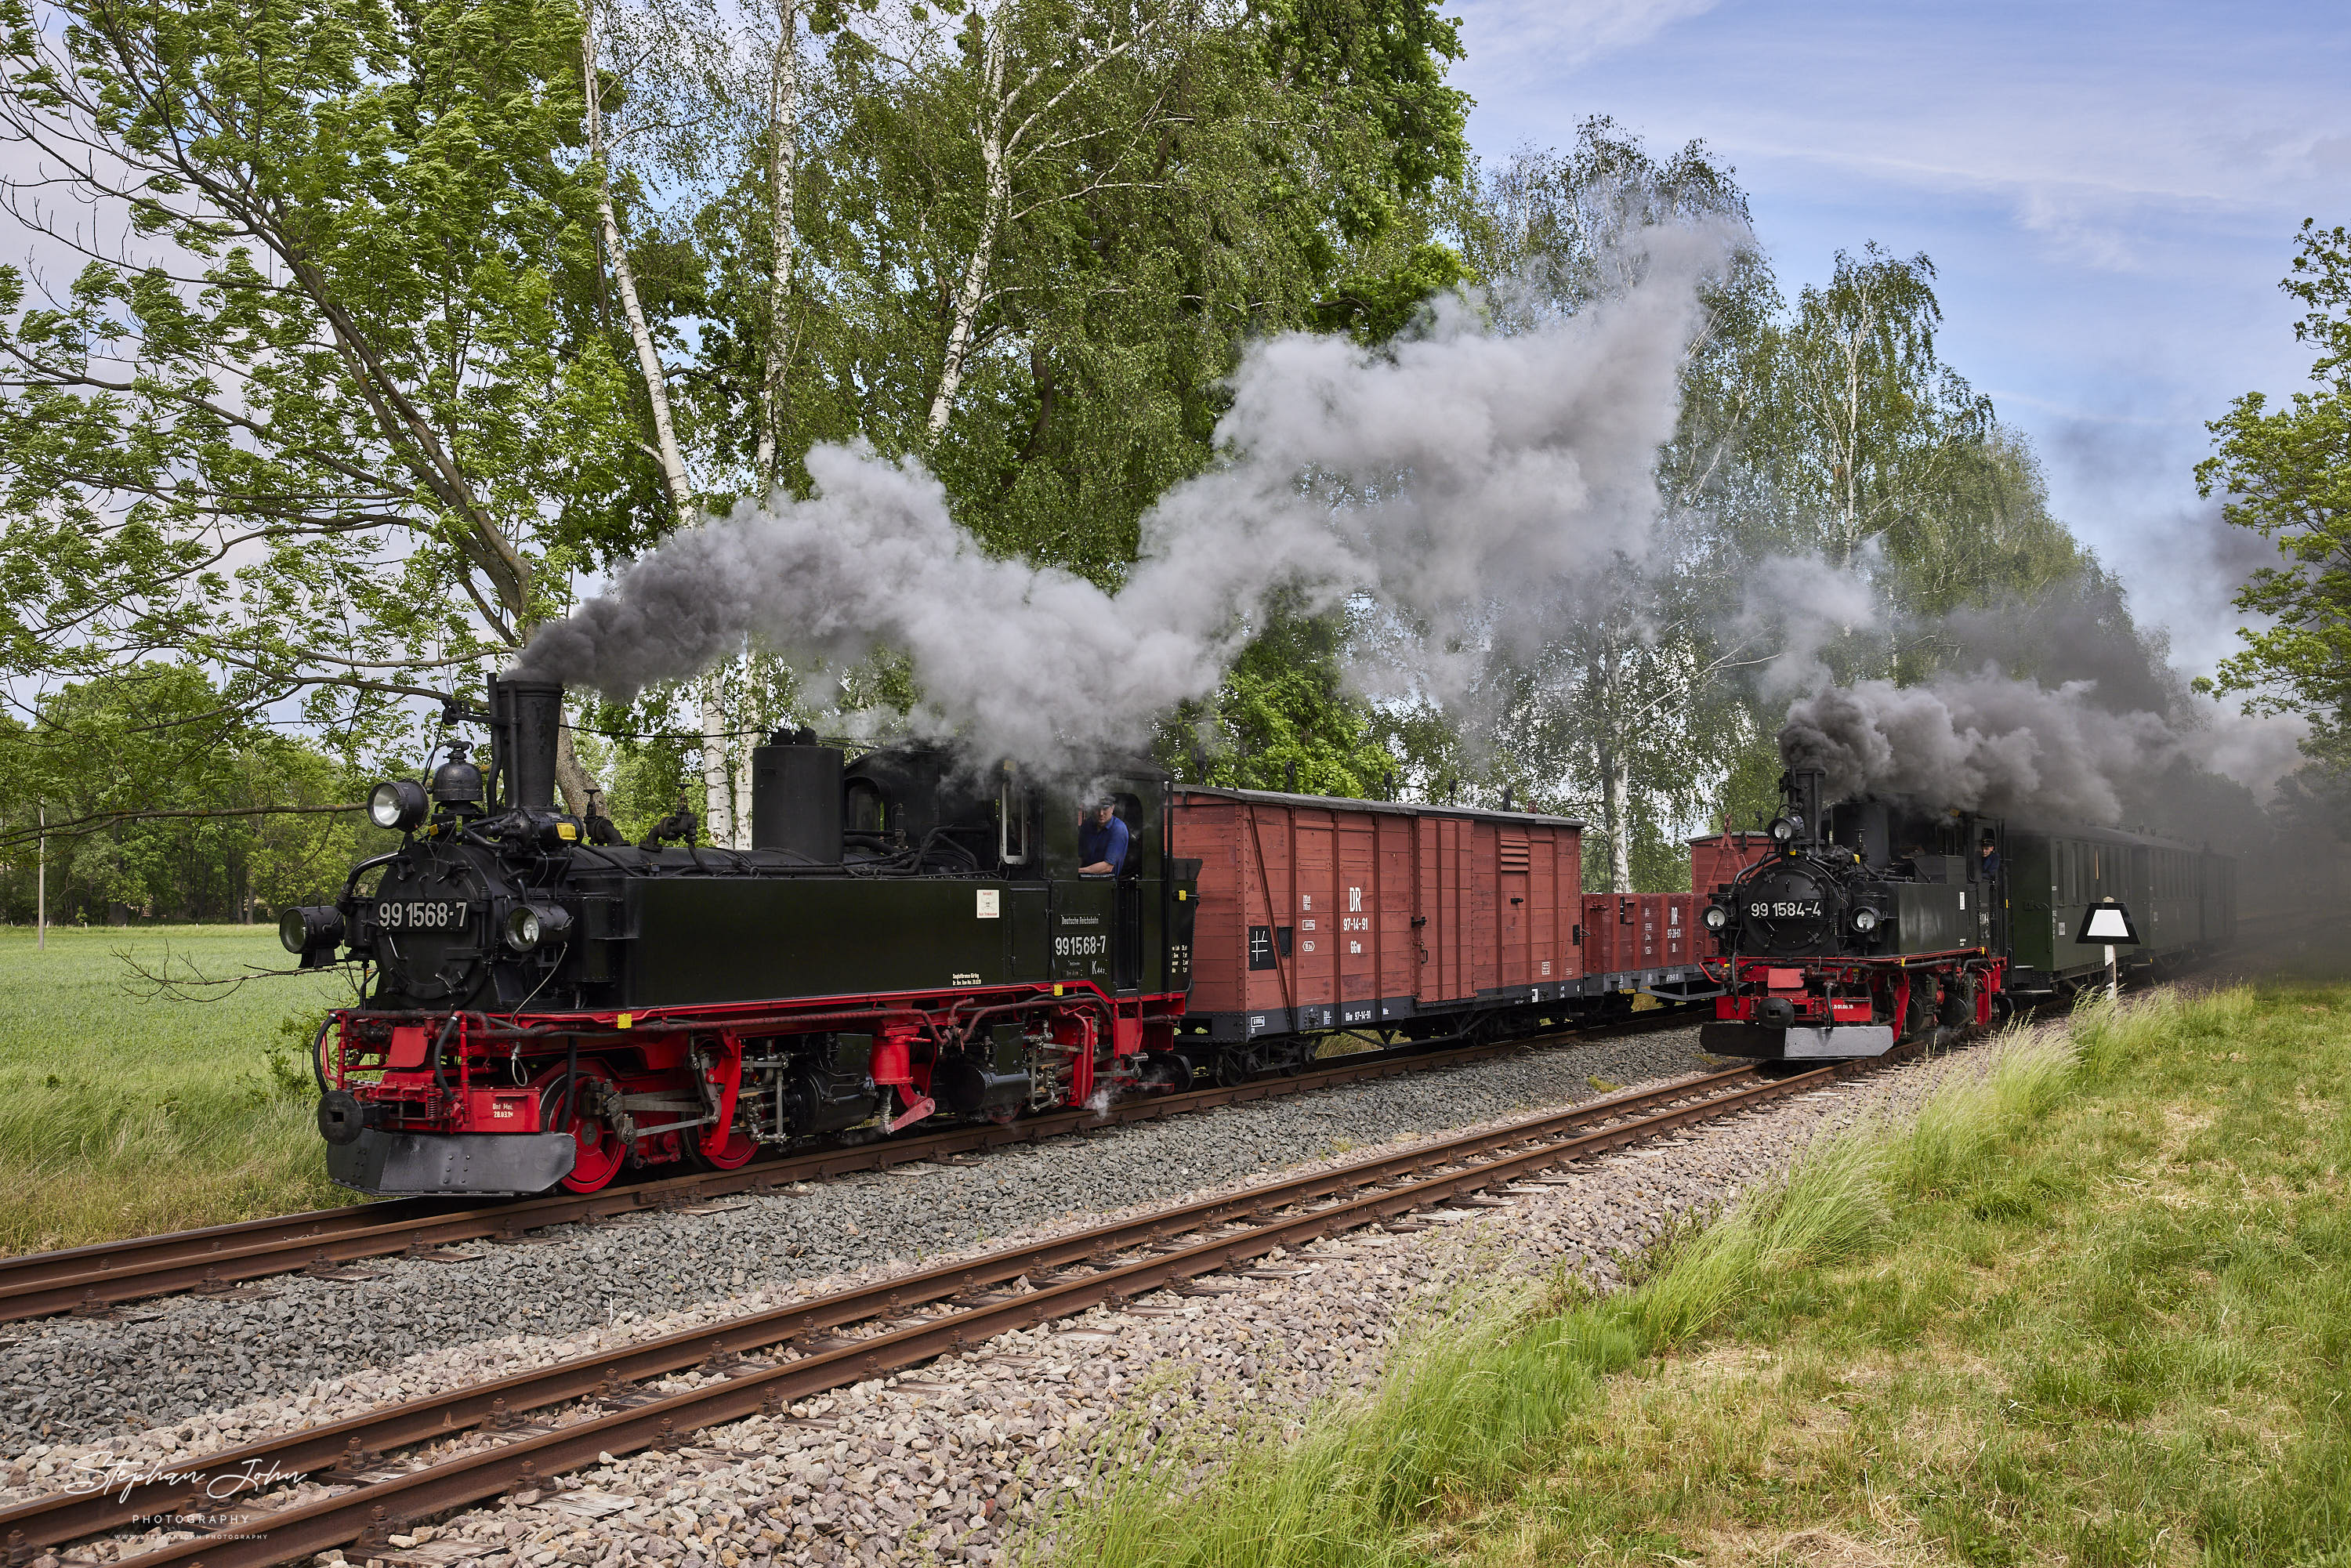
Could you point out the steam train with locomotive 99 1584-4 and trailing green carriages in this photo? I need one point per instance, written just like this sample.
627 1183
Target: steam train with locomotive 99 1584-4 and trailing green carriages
1873 923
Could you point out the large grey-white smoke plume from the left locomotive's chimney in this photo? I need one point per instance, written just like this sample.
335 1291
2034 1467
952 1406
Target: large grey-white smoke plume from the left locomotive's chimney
1452 476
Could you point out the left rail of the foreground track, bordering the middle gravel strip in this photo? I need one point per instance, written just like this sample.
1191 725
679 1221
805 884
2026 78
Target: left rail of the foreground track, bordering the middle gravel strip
354 1442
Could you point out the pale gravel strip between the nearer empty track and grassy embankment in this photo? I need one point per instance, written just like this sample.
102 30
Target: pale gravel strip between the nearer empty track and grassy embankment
967 1456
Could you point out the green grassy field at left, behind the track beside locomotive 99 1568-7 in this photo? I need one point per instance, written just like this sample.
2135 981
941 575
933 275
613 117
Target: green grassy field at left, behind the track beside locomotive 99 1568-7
126 1115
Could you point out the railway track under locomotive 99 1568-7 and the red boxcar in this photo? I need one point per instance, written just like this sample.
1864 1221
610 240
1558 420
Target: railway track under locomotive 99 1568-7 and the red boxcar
95 1280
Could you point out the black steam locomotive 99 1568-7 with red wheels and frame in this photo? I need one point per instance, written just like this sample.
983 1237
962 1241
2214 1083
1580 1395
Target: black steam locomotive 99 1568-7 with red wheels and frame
549 1005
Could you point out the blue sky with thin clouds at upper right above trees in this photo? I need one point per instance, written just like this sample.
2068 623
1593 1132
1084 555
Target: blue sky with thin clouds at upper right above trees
2110 196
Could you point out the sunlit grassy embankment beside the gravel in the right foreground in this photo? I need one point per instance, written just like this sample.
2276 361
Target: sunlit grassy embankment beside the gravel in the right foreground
2094 1308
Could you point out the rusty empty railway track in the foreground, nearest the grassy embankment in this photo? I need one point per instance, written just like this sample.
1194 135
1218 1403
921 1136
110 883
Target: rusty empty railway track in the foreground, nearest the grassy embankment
523 1430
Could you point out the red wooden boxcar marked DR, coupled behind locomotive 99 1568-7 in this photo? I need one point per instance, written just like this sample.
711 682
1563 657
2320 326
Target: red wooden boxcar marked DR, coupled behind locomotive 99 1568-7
1341 913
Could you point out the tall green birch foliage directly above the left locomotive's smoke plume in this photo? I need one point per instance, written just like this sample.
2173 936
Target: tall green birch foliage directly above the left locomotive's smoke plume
1193 180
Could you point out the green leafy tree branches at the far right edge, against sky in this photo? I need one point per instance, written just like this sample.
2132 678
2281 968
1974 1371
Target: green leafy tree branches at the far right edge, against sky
2289 478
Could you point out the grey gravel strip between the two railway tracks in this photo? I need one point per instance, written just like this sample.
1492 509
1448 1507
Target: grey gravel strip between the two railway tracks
74 1381
